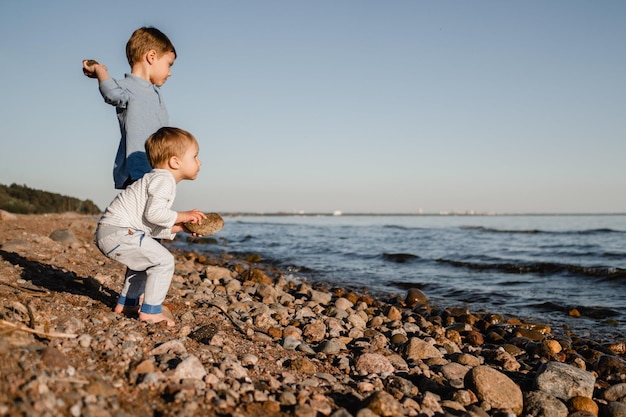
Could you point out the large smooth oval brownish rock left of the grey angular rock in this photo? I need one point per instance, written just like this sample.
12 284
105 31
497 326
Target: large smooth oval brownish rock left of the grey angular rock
495 388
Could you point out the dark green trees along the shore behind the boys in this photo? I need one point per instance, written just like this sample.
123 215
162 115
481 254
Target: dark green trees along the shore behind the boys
23 200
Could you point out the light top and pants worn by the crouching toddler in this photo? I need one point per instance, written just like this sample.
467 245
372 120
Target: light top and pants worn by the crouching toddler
127 232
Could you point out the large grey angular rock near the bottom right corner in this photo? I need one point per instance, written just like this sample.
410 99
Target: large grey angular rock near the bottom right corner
564 381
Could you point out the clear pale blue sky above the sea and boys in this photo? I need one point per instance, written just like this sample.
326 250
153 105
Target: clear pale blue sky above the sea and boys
359 106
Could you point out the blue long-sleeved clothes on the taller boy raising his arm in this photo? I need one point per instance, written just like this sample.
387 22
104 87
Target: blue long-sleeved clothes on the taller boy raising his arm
140 112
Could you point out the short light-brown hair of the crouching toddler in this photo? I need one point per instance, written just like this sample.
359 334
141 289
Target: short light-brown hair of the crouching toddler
166 143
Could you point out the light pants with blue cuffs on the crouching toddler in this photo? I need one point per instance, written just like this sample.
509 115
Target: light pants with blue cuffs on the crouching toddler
149 265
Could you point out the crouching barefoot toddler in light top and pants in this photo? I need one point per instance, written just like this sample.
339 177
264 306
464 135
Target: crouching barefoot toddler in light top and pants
131 225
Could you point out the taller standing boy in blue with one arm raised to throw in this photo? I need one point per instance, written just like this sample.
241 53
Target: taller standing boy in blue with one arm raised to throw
137 99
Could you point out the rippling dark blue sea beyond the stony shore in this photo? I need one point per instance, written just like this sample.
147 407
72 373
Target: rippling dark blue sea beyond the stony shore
539 268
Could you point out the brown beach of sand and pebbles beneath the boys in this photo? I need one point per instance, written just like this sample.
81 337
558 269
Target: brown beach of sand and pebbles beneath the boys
249 341
